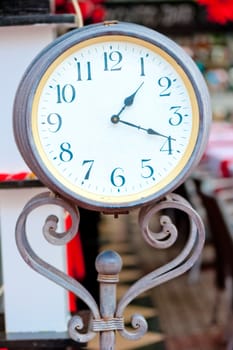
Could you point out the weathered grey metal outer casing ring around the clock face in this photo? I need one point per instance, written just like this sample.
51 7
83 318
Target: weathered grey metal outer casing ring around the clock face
28 89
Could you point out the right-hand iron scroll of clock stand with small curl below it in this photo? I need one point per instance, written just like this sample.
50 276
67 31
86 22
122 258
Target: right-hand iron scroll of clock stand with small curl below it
161 240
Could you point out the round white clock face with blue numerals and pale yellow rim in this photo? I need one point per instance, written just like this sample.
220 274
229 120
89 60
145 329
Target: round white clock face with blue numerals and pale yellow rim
114 121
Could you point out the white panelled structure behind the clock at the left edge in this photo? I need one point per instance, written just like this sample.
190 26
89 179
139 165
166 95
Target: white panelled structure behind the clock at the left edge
31 302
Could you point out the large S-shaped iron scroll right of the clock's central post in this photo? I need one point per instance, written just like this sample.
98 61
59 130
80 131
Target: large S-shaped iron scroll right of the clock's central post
183 262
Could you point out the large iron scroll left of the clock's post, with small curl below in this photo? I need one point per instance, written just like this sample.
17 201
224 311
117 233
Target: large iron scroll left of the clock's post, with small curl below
49 230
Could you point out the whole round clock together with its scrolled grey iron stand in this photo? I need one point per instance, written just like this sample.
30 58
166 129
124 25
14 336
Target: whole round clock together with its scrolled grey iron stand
149 95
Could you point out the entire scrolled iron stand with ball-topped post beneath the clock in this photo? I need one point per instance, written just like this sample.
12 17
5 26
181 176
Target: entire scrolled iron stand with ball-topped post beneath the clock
109 316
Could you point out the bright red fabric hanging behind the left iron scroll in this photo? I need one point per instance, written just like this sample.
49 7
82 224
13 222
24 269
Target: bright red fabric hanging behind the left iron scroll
75 263
